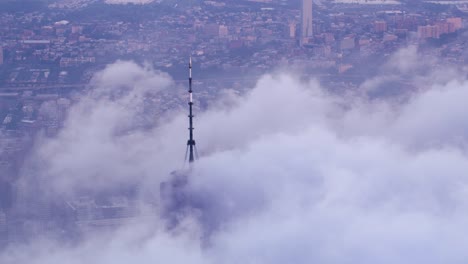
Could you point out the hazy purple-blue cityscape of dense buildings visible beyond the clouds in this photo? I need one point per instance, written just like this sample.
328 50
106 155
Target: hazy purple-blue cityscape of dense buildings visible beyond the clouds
50 51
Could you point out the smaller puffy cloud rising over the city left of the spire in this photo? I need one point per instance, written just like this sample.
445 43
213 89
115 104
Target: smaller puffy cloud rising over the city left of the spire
105 139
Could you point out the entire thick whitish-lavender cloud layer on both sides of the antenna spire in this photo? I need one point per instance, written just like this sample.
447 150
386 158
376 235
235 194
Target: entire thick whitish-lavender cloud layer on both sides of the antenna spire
289 173
